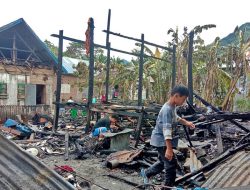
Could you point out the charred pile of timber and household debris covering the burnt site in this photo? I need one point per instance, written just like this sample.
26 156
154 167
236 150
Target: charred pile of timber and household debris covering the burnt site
199 152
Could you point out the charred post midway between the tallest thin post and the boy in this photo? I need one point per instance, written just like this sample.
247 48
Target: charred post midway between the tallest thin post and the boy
141 72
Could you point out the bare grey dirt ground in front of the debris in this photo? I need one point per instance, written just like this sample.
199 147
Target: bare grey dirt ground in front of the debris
93 170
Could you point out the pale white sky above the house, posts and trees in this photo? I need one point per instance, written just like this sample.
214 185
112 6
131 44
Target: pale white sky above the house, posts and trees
128 17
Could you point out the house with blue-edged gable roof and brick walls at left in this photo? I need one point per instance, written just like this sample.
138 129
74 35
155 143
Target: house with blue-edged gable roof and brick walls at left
28 68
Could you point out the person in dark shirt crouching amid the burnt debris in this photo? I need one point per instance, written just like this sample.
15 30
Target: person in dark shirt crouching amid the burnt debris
104 125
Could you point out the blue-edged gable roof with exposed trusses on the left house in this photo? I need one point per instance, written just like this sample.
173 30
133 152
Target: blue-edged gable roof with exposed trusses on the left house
28 45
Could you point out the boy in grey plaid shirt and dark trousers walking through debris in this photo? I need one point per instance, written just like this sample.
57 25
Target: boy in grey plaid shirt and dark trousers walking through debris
162 136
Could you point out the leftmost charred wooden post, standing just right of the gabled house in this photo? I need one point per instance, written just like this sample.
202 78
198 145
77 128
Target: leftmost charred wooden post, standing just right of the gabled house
58 81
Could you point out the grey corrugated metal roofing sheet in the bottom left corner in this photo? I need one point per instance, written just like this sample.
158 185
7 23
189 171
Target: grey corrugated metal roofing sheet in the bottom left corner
21 171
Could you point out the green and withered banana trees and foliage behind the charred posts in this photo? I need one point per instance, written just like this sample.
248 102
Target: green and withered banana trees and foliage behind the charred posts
217 68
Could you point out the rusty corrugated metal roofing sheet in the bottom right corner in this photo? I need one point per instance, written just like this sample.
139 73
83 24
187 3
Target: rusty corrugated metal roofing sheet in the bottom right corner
235 172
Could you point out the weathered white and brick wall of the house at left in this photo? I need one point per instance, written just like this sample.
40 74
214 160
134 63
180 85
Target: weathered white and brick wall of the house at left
14 75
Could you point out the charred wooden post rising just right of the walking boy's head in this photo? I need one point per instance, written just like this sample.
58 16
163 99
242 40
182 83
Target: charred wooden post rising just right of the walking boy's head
190 67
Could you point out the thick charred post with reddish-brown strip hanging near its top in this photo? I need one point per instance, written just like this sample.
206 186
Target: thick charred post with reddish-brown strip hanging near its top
91 71
